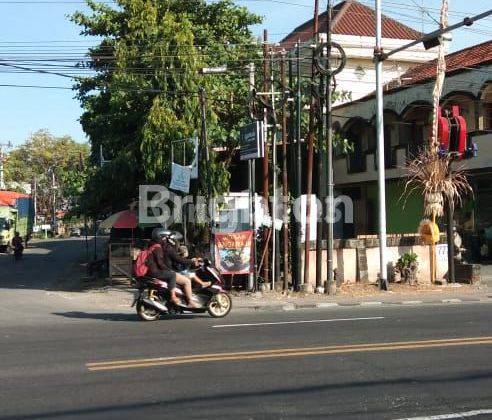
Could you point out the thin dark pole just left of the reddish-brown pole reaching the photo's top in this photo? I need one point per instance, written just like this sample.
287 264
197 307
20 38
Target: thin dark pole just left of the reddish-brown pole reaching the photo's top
298 250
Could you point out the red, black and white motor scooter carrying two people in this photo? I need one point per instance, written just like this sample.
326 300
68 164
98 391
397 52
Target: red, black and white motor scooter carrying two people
153 297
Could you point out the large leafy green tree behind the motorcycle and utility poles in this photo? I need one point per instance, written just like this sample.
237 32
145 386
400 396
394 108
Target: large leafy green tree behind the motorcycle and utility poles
145 91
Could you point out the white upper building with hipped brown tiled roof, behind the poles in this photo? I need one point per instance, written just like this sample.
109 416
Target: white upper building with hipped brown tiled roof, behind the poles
353 27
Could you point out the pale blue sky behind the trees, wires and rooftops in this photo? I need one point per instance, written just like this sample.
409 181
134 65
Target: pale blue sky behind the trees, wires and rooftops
31 26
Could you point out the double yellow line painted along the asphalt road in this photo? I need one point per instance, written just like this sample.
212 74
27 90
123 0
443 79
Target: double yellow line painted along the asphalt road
288 352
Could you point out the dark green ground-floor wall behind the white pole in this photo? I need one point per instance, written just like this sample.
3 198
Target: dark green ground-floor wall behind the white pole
403 214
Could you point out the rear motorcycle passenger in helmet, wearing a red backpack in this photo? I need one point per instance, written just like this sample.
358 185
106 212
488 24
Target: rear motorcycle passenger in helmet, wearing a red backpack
161 266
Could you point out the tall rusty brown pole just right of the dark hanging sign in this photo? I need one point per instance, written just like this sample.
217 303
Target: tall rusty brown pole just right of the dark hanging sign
266 183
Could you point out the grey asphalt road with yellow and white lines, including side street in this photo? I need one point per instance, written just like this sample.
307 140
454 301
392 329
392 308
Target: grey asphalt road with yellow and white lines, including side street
63 359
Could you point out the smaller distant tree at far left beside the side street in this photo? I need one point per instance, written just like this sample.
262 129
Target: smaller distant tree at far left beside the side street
43 155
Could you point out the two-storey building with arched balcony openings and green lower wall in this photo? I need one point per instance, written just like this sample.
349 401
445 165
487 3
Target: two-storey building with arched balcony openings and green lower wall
407 127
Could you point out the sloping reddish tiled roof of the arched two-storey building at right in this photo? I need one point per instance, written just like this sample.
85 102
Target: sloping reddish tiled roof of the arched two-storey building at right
460 60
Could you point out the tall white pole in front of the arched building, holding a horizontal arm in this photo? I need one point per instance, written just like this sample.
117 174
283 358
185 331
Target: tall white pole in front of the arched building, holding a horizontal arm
383 281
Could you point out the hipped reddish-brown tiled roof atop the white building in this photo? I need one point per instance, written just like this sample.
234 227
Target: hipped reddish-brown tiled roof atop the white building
351 18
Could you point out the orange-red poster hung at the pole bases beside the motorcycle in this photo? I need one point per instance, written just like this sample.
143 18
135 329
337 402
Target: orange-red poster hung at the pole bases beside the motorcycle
233 252
